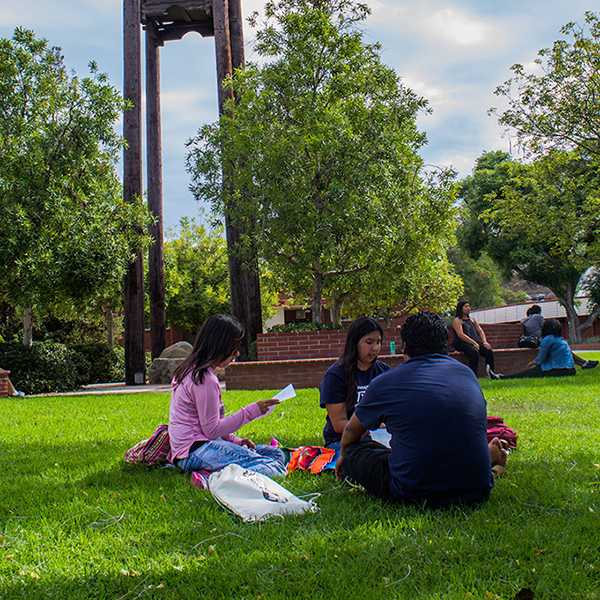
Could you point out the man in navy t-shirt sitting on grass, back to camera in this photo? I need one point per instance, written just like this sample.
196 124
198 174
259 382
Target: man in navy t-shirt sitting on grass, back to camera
434 409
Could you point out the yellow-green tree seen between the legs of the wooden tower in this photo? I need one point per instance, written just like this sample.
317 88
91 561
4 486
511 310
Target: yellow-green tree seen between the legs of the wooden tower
196 284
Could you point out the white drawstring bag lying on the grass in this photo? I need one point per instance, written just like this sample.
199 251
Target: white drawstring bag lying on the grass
254 497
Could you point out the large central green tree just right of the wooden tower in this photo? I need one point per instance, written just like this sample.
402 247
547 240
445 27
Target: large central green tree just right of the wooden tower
321 148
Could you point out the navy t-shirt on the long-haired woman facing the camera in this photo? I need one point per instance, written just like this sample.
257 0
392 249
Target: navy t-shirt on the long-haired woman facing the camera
333 390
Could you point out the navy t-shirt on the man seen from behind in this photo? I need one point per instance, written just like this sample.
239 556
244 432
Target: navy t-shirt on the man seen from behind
434 409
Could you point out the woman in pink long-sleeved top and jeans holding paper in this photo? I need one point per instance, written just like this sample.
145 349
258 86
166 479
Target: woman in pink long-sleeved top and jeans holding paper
201 436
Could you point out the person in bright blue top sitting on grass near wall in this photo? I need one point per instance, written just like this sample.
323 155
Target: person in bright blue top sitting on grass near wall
554 357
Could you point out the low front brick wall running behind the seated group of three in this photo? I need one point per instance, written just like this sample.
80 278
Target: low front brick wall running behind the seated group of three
307 373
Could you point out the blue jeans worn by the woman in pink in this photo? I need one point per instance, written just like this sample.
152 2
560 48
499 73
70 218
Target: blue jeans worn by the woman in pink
217 454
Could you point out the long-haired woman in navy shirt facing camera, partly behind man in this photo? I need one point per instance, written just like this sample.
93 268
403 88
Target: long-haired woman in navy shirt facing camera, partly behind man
346 381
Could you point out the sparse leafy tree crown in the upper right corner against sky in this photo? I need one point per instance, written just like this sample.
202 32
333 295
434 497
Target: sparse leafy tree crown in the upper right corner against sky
556 107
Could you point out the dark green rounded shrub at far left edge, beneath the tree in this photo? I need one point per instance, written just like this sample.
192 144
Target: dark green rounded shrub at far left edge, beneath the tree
45 367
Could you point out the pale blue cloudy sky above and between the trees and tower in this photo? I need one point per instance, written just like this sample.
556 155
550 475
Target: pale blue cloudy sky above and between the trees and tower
452 52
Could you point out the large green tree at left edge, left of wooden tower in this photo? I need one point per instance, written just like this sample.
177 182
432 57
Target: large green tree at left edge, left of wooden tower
67 236
